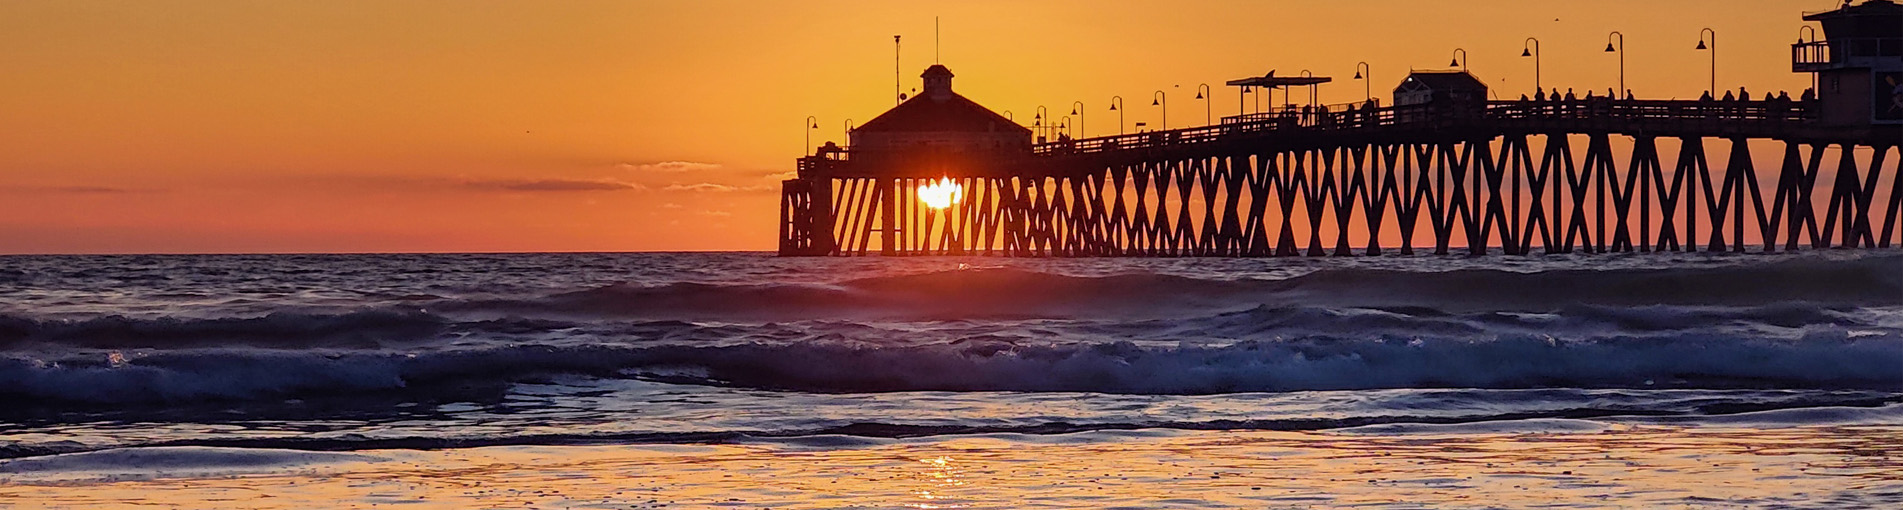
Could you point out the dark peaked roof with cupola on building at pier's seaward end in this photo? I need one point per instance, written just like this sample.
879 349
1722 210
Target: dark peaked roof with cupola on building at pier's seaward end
943 111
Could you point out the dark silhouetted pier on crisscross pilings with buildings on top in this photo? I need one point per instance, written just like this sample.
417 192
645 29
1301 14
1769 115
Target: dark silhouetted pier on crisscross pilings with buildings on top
1443 168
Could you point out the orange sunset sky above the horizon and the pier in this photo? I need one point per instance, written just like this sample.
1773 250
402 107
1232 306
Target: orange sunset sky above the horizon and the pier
667 127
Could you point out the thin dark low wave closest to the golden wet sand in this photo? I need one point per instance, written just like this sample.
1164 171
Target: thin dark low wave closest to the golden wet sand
237 452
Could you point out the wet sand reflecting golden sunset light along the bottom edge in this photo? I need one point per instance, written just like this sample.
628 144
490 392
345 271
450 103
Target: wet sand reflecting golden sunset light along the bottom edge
1558 465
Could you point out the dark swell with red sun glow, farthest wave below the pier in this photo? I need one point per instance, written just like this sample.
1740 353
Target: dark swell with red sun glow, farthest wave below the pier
1023 294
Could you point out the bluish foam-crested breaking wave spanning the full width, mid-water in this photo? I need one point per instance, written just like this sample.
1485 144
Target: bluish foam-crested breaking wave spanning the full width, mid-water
1822 359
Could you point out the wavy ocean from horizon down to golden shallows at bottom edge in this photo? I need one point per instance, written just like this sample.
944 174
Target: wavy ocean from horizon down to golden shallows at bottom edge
745 380
